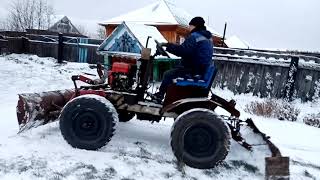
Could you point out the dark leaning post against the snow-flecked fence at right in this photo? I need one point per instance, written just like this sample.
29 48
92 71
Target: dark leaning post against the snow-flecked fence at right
292 74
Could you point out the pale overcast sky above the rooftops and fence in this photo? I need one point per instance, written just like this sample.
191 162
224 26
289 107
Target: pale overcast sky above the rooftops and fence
282 24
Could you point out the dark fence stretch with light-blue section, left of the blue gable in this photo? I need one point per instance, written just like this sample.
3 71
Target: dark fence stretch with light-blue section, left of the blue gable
73 49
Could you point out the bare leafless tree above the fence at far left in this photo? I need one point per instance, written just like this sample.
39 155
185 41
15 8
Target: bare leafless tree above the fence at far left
29 14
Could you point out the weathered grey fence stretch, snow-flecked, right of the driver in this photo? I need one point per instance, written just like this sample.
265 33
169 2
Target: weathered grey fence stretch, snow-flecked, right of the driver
268 74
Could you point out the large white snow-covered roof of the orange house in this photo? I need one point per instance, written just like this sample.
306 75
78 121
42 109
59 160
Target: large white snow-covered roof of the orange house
161 12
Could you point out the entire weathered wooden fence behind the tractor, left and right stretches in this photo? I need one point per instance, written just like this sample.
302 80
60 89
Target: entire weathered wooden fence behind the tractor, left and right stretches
262 73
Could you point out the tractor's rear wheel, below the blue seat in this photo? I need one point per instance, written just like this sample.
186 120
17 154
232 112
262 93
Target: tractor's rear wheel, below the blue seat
200 138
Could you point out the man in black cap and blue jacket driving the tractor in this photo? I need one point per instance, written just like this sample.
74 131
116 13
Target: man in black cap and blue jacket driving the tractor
196 53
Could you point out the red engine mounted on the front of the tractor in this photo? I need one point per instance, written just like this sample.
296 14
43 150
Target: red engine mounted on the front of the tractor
121 76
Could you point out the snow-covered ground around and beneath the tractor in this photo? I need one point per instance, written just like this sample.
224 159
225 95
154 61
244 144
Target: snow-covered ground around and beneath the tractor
139 150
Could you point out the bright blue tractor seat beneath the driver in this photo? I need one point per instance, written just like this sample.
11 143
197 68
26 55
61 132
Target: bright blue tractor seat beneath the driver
198 80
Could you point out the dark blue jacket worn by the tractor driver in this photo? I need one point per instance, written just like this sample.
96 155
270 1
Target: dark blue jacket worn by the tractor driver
196 51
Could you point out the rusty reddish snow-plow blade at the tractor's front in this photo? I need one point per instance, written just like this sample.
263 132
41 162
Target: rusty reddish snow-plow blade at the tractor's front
37 109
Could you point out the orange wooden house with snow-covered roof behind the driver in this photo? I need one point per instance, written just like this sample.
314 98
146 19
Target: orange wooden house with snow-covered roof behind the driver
171 21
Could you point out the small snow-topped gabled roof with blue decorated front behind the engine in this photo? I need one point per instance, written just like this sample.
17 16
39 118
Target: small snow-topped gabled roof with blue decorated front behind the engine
135 33
